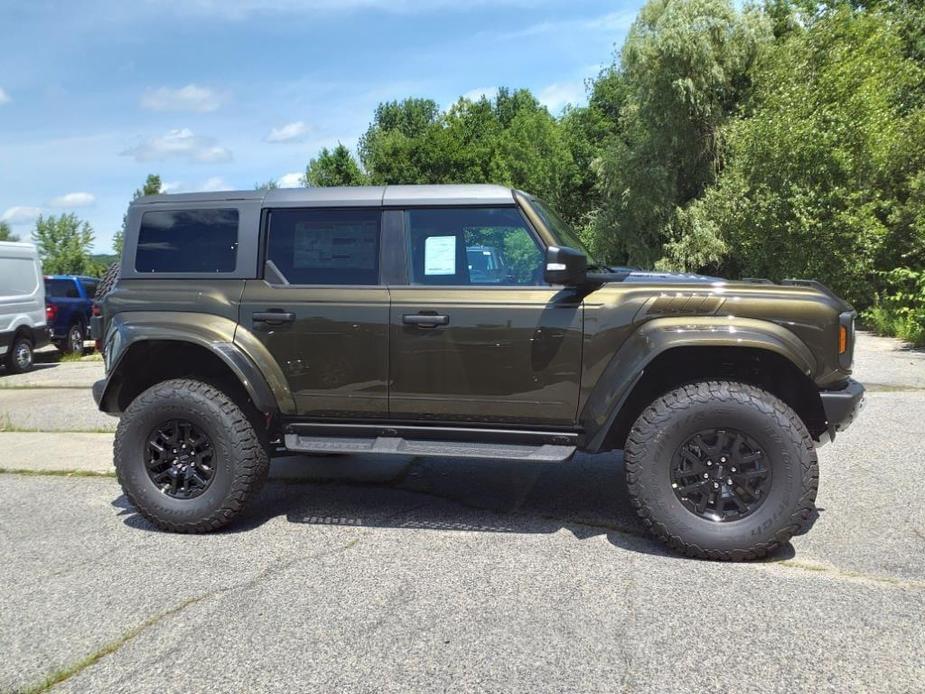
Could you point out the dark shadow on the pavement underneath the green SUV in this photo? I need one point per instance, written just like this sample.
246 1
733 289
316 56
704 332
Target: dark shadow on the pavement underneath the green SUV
586 497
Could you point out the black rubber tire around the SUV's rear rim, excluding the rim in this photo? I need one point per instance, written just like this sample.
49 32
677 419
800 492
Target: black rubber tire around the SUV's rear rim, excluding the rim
241 460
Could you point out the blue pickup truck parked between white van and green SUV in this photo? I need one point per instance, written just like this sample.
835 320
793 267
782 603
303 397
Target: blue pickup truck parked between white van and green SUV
68 304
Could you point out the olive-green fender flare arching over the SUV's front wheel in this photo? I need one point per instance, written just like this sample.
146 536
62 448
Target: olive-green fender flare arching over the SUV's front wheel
662 334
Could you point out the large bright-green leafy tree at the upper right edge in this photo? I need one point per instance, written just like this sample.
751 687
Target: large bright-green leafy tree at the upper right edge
826 175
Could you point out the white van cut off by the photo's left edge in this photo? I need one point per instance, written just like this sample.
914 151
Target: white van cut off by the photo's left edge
22 305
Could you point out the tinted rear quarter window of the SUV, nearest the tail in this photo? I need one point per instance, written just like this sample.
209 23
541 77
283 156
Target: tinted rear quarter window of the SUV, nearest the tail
188 241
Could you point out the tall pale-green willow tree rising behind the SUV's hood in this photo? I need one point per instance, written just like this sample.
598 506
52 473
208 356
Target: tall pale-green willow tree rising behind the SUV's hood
686 67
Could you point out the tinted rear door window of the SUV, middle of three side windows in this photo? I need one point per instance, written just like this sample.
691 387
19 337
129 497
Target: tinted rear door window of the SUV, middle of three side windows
325 246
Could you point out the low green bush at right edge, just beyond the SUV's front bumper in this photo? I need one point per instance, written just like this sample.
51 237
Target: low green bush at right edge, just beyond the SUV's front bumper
900 309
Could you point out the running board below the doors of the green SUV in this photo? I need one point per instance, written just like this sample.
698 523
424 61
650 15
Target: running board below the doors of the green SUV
390 445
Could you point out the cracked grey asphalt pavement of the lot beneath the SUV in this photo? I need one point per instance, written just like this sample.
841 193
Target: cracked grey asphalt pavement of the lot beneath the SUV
360 574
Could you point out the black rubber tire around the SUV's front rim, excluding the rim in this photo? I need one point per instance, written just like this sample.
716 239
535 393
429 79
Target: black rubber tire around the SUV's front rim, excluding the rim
667 422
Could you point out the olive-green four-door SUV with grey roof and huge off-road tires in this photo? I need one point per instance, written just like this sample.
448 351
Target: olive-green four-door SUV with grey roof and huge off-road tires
459 322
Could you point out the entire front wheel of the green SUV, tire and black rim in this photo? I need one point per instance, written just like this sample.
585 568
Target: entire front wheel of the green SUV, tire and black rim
721 470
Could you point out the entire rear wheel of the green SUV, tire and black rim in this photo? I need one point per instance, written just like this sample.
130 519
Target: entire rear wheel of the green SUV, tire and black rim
187 456
